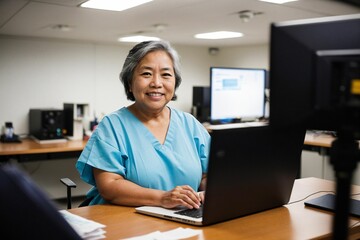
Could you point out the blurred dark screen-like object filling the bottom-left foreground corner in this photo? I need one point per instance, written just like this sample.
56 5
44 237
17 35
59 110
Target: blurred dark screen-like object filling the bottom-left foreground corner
26 212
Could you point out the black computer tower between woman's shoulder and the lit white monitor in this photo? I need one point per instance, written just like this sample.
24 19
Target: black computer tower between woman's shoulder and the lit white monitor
201 103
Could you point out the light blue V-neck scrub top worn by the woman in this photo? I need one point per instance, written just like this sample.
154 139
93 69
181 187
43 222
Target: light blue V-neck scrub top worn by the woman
122 144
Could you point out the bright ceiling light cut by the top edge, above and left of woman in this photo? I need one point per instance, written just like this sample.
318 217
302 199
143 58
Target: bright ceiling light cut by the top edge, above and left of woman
113 5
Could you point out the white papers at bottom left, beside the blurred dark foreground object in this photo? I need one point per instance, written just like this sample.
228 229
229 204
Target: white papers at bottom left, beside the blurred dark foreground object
87 229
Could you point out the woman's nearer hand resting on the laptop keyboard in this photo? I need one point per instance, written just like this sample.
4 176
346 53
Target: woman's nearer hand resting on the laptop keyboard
181 196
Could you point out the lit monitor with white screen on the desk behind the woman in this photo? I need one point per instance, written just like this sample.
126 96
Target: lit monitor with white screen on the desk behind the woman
236 94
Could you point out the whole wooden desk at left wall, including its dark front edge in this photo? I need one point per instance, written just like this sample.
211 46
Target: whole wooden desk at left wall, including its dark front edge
28 150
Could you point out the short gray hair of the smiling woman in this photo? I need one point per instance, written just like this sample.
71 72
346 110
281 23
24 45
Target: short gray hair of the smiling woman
137 53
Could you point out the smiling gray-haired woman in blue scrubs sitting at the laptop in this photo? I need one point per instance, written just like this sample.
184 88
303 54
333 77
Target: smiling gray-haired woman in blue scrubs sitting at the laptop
148 153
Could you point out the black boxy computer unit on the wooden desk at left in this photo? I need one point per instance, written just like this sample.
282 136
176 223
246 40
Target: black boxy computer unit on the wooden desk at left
46 124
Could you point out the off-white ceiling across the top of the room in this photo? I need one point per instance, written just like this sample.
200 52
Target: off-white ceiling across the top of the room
173 20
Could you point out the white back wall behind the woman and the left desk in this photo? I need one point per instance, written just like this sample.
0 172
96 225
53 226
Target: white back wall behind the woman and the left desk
42 73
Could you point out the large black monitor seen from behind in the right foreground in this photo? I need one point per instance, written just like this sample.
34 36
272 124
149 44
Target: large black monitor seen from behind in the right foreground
315 73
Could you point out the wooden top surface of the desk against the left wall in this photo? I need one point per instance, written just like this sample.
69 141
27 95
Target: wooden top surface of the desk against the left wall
29 146
